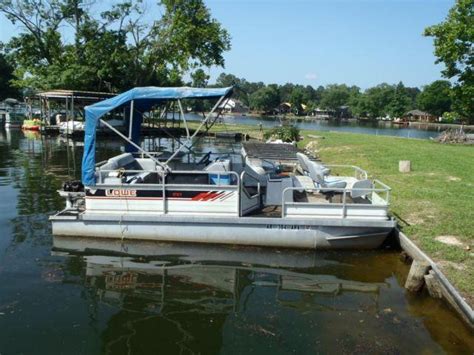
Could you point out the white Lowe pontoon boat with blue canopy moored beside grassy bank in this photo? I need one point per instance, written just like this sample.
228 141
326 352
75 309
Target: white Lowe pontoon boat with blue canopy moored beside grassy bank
265 195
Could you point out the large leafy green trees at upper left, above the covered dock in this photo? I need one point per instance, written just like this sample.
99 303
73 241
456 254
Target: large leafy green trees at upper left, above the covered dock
113 50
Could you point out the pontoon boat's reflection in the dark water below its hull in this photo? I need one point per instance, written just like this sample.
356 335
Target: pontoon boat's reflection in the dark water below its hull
212 278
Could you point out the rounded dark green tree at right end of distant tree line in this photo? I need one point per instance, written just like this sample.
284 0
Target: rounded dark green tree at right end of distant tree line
436 98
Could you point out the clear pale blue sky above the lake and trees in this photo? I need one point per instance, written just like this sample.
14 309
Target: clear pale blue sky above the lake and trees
319 42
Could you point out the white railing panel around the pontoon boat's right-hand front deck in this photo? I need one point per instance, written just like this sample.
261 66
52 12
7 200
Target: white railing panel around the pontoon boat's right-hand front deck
378 198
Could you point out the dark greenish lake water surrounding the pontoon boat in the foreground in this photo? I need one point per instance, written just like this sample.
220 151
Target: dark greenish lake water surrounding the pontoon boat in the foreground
169 298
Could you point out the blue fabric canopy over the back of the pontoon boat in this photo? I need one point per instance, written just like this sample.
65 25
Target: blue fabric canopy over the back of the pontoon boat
144 99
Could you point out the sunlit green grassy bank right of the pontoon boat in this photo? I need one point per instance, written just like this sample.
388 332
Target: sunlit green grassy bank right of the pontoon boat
435 199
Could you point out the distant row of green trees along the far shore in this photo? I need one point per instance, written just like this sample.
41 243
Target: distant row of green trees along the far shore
379 101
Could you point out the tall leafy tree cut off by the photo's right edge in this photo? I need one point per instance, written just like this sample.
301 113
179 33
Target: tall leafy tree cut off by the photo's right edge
453 42
